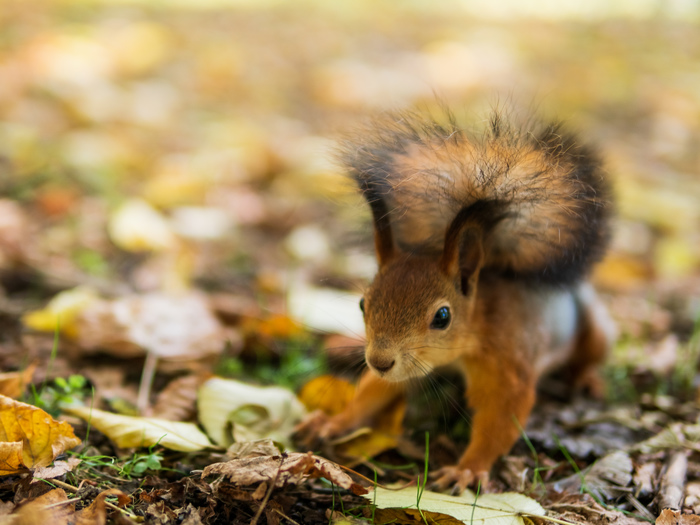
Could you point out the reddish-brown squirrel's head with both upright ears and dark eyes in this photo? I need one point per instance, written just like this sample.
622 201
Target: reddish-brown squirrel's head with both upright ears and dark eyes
418 308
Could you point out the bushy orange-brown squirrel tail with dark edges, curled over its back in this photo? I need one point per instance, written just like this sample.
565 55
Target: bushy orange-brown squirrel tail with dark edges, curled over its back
541 196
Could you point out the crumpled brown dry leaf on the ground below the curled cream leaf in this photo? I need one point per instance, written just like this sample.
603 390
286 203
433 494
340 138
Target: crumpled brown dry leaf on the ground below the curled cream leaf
290 468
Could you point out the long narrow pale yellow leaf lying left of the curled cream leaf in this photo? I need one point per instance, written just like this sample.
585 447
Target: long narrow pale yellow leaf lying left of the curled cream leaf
131 431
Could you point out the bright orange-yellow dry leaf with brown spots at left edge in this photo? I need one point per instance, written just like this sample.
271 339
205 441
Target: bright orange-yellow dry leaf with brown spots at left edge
29 437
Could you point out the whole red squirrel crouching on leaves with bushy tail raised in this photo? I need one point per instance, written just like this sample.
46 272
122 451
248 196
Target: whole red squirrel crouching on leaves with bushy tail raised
483 244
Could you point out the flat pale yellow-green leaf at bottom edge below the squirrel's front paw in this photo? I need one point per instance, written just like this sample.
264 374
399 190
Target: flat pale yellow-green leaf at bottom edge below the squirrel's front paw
508 508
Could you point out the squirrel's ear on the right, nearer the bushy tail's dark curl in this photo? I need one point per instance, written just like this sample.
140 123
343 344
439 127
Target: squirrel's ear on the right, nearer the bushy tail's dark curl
463 255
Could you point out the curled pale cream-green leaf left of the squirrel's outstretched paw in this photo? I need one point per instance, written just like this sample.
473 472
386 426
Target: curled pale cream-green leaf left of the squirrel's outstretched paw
255 412
